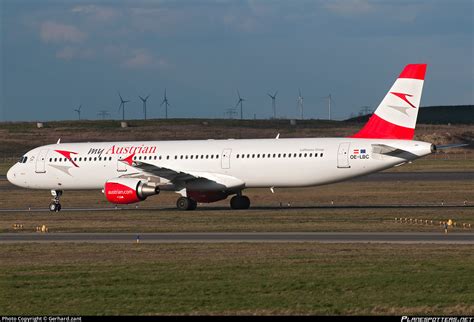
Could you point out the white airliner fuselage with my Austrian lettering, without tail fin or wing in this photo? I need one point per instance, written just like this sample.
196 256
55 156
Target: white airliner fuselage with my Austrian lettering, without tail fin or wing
256 162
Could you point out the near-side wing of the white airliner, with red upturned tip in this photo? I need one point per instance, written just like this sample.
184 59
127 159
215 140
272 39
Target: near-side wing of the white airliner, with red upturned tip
191 179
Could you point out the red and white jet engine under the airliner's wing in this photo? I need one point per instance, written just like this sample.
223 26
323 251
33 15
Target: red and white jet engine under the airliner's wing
128 190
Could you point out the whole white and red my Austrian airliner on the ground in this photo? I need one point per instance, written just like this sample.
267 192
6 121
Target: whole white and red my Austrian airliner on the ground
206 171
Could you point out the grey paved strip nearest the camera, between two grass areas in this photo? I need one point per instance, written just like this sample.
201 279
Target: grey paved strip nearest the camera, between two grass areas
238 237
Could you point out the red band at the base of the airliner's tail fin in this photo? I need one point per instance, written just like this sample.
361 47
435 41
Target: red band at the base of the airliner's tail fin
378 128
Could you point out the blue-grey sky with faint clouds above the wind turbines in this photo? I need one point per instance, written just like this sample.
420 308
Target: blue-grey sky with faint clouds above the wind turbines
56 55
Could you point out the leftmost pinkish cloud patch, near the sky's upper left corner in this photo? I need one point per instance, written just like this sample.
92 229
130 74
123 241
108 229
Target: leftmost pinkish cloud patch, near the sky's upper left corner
54 32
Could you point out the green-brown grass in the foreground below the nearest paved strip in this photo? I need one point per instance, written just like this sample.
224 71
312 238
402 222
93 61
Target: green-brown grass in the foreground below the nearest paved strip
306 278
